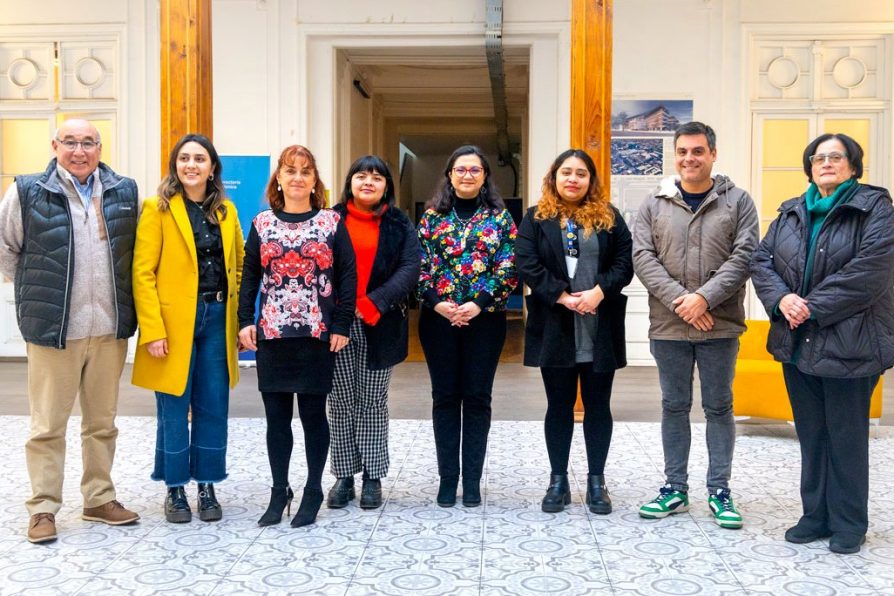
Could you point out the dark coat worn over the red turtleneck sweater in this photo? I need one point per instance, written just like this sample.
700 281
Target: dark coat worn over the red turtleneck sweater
395 272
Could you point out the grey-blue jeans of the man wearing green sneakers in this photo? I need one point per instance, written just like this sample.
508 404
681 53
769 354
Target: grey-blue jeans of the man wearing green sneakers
716 359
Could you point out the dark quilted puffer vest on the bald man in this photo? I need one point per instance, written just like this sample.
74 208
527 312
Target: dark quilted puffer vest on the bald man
44 273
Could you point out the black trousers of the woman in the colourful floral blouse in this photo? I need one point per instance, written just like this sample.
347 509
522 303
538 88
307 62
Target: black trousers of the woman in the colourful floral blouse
462 362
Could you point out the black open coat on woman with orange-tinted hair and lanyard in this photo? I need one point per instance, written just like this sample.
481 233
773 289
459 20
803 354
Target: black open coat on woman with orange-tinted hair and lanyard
549 331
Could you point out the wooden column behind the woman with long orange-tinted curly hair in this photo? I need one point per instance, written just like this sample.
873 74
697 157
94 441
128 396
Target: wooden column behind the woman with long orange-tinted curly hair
591 90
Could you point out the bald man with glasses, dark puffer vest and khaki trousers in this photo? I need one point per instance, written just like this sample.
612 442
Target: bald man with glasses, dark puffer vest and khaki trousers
66 239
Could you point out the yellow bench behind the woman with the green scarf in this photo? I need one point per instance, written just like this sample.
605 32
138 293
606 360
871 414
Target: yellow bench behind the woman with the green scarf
759 389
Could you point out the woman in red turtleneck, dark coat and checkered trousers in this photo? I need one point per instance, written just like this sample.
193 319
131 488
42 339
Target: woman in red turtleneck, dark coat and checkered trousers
387 256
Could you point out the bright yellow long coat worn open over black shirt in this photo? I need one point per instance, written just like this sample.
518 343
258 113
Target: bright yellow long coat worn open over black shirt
165 288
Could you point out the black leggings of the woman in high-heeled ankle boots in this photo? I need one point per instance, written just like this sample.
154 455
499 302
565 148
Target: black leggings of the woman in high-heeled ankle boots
312 411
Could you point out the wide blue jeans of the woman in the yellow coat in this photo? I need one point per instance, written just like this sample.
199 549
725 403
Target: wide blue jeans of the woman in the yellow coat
201 455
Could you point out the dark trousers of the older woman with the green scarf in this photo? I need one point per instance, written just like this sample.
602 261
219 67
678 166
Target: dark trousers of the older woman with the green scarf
832 421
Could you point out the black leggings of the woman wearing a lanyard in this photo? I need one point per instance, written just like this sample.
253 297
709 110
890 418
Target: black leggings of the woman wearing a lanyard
561 394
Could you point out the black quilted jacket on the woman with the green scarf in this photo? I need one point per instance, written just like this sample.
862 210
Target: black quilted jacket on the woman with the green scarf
851 291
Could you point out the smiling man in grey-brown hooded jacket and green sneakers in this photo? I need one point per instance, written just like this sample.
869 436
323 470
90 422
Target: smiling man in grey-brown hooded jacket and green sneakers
692 242
